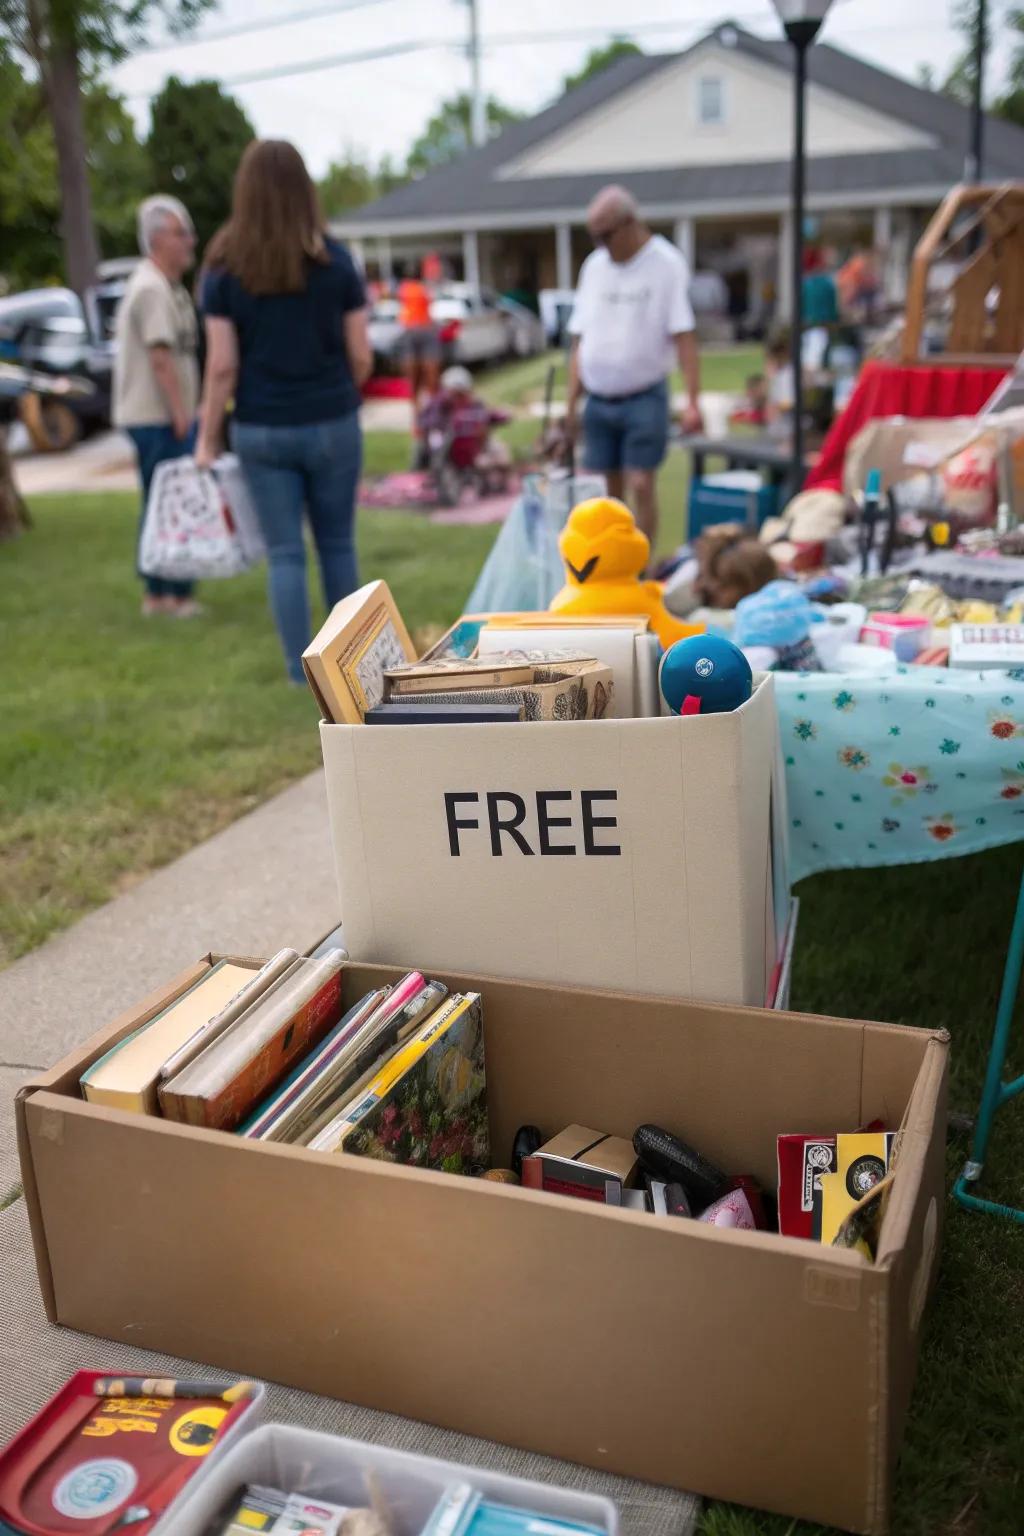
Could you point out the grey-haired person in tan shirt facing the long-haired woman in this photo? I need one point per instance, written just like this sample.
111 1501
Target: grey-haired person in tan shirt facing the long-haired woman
156 369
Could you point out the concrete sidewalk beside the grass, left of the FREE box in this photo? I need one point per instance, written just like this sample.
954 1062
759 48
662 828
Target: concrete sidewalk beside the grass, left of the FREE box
265 882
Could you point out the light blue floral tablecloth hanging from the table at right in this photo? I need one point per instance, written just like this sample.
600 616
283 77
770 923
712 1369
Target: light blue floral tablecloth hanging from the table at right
922 764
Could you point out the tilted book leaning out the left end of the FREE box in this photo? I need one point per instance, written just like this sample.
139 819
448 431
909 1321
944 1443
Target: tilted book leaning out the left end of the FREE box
346 663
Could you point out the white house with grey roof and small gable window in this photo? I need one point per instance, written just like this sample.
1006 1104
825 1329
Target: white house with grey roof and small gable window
704 141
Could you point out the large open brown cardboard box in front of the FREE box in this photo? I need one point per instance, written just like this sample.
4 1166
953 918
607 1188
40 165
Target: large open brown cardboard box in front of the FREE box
658 1349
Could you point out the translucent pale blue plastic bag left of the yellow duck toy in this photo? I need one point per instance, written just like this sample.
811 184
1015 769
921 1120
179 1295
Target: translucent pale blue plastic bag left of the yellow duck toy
524 571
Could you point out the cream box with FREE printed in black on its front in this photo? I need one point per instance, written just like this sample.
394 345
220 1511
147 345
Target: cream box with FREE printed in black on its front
632 855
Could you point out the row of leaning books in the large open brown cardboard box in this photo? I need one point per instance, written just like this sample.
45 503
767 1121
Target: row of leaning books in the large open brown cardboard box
271 1053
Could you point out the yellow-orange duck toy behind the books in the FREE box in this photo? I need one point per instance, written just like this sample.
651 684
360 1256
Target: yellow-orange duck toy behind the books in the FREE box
604 555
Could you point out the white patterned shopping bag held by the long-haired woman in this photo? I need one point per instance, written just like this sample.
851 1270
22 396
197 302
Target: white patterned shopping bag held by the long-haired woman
200 525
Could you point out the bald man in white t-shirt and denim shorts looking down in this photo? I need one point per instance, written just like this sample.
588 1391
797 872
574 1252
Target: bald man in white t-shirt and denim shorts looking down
632 323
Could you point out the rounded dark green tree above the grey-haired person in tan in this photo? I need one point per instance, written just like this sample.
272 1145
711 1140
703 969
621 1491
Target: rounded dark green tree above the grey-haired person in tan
196 142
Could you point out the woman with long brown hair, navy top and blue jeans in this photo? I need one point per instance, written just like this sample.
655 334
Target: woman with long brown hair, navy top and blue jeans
286 331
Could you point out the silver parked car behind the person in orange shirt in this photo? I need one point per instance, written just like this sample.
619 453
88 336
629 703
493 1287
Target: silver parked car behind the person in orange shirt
475 325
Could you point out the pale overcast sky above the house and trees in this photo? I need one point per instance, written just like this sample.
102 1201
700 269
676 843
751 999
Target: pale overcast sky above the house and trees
378 105
